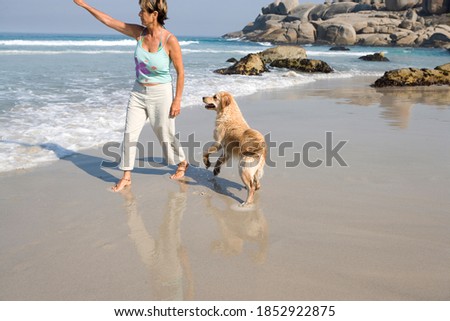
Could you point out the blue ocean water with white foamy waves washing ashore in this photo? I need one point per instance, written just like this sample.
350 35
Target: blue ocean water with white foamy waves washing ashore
60 94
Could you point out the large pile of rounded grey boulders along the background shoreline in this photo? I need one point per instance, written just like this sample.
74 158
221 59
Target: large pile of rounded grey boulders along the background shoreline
350 23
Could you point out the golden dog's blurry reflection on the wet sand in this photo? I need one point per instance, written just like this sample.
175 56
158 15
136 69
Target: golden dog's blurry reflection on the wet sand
238 226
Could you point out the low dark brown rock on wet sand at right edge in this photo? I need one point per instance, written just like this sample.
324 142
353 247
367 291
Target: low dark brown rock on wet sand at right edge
415 77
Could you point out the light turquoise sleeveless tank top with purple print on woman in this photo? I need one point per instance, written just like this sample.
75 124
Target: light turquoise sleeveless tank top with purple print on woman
152 67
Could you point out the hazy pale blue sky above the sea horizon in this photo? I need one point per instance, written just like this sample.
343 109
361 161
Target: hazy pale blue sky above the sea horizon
186 17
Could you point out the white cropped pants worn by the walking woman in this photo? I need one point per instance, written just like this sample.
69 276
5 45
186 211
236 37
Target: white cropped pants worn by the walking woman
152 103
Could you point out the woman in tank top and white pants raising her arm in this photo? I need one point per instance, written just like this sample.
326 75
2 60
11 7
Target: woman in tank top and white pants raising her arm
152 94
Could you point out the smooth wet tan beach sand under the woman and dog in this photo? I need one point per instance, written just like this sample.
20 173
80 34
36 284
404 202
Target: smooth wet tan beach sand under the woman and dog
376 229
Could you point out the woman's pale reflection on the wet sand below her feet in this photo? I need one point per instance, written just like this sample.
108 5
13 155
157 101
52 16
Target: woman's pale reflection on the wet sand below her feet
165 256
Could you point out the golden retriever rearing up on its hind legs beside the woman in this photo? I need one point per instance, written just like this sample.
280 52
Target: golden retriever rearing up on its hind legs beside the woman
235 138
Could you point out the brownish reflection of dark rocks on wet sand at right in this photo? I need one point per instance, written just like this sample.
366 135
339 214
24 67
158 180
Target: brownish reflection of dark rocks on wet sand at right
396 103
